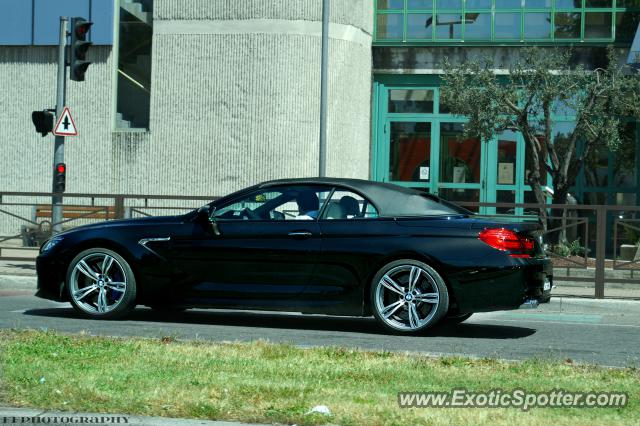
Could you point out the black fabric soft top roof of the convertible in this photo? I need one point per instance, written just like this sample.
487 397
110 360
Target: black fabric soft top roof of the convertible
390 200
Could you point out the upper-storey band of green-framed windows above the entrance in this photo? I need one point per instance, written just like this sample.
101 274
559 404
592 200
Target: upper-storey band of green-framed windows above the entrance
400 22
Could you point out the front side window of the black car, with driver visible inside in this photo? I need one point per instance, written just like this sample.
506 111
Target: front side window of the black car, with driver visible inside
298 202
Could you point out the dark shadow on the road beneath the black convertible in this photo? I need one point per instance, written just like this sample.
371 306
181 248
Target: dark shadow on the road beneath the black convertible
294 322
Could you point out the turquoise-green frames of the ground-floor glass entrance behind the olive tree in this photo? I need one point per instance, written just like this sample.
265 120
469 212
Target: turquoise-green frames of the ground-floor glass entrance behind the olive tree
383 118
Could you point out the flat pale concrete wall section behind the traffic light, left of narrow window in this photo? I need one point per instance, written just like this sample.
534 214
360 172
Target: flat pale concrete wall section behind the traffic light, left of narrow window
28 83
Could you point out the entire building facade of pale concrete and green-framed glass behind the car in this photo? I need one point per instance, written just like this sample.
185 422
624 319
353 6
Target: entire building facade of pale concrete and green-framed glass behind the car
202 97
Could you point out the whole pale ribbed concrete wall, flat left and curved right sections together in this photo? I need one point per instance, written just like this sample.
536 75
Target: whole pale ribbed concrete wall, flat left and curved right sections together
234 101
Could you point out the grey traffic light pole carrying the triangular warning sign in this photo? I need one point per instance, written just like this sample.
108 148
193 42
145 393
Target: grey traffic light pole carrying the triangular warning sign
58 150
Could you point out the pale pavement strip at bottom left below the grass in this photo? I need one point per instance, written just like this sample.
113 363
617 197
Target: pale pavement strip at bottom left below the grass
24 416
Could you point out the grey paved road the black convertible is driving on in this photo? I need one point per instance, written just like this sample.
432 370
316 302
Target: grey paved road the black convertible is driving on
601 332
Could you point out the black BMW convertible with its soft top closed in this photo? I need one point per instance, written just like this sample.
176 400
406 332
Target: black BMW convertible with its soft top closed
330 246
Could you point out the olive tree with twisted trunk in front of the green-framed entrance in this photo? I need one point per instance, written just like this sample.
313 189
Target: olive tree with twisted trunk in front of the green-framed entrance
527 95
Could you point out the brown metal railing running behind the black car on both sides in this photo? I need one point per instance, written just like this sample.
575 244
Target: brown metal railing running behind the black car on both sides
600 229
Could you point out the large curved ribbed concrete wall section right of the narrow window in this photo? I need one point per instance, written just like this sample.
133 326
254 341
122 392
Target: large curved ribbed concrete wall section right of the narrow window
235 96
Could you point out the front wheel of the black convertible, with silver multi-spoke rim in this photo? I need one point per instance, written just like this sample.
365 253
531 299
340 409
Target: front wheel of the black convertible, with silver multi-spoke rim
101 284
